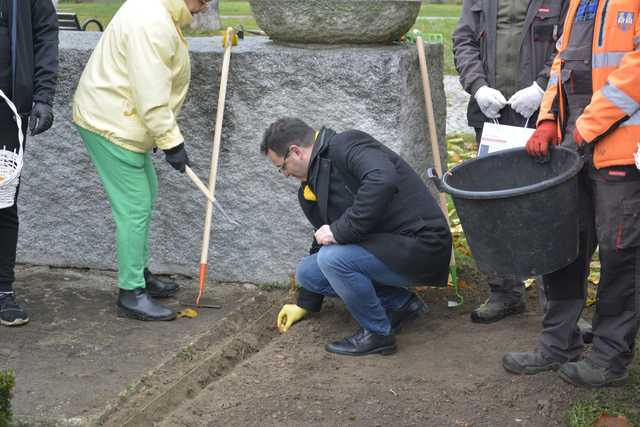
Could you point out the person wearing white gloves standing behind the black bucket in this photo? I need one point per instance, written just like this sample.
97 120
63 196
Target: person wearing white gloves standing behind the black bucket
499 49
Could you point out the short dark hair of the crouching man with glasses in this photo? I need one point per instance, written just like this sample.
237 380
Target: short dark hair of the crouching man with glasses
285 132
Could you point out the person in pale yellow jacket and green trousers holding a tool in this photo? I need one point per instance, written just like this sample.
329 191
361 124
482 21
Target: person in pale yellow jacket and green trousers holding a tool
126 104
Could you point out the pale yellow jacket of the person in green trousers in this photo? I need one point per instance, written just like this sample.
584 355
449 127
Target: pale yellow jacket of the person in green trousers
137 77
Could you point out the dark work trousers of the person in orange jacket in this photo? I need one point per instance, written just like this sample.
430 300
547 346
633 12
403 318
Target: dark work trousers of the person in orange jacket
615 195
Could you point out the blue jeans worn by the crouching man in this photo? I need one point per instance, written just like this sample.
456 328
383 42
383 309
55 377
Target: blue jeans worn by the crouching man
364 283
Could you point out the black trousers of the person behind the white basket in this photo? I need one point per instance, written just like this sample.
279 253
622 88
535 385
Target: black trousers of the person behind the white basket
9 216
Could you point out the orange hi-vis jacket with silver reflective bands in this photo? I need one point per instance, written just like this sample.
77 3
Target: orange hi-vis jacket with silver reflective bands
612 118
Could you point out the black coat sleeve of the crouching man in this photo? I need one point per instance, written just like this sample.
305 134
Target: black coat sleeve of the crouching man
376 174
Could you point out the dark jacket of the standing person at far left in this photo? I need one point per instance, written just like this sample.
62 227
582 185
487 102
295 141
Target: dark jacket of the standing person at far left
35 54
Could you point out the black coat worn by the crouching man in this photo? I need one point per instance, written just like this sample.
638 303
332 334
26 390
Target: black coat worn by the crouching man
371 197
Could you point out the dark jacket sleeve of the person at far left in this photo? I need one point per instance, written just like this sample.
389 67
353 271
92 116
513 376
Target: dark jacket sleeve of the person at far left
44 24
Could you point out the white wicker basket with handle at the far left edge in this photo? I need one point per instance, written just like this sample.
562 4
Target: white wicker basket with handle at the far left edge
10 163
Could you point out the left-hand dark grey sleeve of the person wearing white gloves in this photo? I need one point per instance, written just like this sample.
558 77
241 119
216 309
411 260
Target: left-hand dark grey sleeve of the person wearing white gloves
467 54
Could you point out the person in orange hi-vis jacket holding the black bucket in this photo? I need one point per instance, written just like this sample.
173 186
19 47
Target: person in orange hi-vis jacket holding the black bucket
592 104
